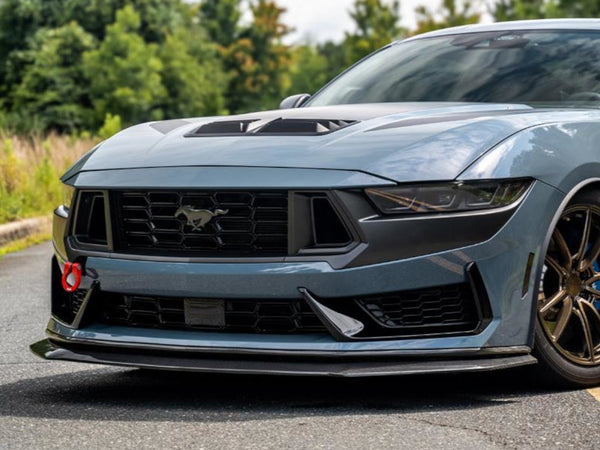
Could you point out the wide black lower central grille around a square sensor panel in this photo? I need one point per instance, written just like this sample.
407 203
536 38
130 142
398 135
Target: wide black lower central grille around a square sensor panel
249 316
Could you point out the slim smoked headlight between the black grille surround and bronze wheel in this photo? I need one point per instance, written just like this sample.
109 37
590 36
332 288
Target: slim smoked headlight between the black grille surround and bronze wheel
448 197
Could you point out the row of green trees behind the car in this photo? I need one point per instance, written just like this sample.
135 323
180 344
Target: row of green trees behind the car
77 65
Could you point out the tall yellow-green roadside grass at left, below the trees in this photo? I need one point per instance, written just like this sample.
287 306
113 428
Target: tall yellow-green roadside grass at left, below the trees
30 167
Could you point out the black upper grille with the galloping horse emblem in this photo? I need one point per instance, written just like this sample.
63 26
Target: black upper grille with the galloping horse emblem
201 223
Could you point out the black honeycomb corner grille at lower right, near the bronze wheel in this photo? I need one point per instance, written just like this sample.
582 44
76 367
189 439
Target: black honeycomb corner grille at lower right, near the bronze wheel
442 308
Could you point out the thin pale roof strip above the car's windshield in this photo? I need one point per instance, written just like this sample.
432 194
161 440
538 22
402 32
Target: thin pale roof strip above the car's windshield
544 24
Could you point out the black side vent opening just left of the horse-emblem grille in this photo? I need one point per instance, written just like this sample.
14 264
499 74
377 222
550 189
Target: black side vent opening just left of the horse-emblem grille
90 222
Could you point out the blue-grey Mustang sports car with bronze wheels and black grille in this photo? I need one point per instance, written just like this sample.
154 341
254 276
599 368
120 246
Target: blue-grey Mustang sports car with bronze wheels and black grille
434 208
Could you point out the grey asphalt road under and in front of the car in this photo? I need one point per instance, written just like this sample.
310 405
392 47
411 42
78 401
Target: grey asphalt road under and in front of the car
69 405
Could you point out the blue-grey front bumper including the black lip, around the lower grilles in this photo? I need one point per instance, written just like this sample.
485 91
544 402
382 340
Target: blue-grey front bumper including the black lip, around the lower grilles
504 341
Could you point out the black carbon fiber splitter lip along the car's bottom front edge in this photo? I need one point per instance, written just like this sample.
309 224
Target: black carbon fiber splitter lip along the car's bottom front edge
210 363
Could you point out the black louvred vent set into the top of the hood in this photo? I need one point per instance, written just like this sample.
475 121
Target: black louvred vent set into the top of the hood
274 127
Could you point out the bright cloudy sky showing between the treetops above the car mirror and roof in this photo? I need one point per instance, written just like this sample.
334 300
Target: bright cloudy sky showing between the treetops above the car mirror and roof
322 20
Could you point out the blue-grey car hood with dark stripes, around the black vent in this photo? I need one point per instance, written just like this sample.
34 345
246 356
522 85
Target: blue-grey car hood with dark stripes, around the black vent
399 142
